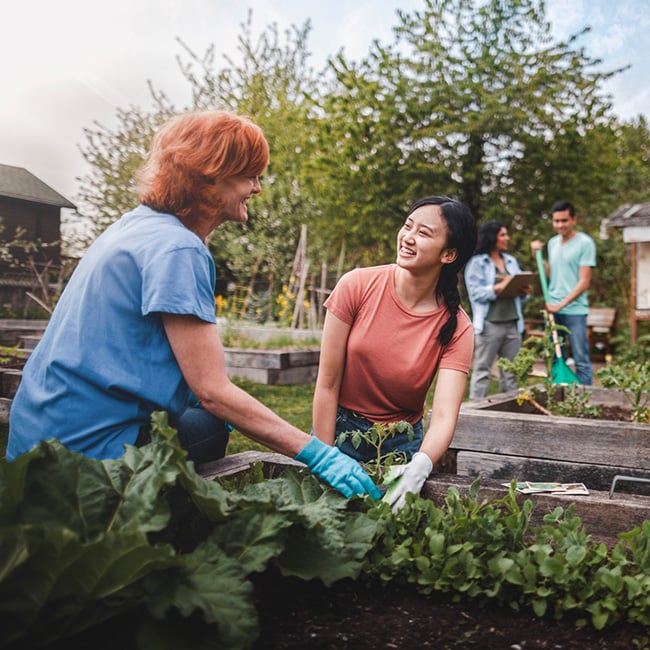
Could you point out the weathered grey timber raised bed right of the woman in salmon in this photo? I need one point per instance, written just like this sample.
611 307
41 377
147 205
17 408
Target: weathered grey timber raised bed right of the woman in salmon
500 439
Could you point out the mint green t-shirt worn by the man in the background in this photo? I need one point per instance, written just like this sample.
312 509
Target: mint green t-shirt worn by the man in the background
565 261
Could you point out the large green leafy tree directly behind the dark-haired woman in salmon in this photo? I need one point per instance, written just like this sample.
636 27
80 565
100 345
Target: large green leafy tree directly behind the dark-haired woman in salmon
463 90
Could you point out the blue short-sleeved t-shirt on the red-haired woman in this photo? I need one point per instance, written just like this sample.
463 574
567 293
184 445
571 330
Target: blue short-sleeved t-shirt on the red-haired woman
104 362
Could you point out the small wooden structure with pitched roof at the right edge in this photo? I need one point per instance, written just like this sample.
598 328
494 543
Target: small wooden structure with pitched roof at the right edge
635 222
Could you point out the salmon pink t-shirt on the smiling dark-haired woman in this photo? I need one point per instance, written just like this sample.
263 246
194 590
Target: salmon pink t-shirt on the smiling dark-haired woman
392 353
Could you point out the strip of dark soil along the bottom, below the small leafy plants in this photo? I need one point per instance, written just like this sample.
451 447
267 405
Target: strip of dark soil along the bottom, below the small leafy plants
306 615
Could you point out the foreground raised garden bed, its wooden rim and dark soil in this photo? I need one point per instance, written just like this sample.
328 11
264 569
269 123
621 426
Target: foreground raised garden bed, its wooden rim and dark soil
356 614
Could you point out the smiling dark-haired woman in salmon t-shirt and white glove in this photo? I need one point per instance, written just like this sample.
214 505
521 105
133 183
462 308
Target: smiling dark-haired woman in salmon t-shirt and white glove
390 331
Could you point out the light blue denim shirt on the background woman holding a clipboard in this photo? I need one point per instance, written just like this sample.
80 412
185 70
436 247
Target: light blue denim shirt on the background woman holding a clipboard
480 278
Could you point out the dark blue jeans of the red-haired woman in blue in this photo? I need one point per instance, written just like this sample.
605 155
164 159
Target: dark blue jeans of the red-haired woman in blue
200 433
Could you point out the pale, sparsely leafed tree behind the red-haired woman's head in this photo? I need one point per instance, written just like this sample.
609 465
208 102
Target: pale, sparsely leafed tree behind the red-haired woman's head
273 85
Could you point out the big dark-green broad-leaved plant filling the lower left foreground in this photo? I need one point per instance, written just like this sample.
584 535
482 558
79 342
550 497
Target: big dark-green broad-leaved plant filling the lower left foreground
83 541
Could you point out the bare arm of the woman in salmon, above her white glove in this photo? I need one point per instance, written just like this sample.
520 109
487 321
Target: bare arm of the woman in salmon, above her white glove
447 398
